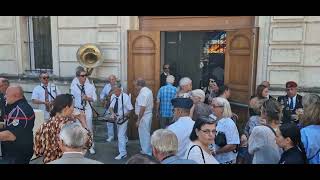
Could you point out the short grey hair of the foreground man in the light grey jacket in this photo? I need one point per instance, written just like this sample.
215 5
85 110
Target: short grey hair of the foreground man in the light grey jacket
73 135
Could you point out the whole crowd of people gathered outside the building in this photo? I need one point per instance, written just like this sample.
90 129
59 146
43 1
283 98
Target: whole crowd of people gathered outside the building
197 126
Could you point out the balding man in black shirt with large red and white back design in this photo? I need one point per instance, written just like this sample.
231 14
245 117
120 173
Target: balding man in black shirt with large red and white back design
17 135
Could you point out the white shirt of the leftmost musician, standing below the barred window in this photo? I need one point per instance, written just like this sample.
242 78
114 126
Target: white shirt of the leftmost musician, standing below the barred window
38 93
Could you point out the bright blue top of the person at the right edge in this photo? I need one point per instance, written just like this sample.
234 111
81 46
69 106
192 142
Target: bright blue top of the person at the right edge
310 136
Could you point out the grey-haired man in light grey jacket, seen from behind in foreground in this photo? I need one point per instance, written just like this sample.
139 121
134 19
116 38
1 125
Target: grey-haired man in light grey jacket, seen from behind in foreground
73 138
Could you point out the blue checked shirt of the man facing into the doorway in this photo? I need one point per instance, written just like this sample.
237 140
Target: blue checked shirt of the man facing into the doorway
165 95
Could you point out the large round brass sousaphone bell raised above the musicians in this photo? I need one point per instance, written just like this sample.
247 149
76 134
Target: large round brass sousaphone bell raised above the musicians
89 56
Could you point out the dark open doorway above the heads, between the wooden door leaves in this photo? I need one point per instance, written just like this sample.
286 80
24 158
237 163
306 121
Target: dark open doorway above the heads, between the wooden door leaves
195 54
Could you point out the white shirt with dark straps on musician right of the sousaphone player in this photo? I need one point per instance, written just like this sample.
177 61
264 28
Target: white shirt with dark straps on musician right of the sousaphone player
127 106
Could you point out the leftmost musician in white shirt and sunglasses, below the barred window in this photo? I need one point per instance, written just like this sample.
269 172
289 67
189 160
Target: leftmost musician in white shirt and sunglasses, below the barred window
44 94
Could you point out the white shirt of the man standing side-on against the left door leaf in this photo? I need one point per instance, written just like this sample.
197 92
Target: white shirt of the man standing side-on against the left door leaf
145 98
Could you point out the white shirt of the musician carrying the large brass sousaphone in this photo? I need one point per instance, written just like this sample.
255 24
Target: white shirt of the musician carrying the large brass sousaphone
90 91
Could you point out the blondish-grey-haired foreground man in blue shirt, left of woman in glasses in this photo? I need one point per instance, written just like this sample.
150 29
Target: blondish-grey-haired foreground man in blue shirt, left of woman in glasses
165 146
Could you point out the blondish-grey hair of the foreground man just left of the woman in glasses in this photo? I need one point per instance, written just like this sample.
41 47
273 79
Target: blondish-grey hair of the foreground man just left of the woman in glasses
164 141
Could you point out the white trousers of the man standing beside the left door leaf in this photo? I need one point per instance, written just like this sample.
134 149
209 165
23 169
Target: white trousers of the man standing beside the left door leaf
144 133
